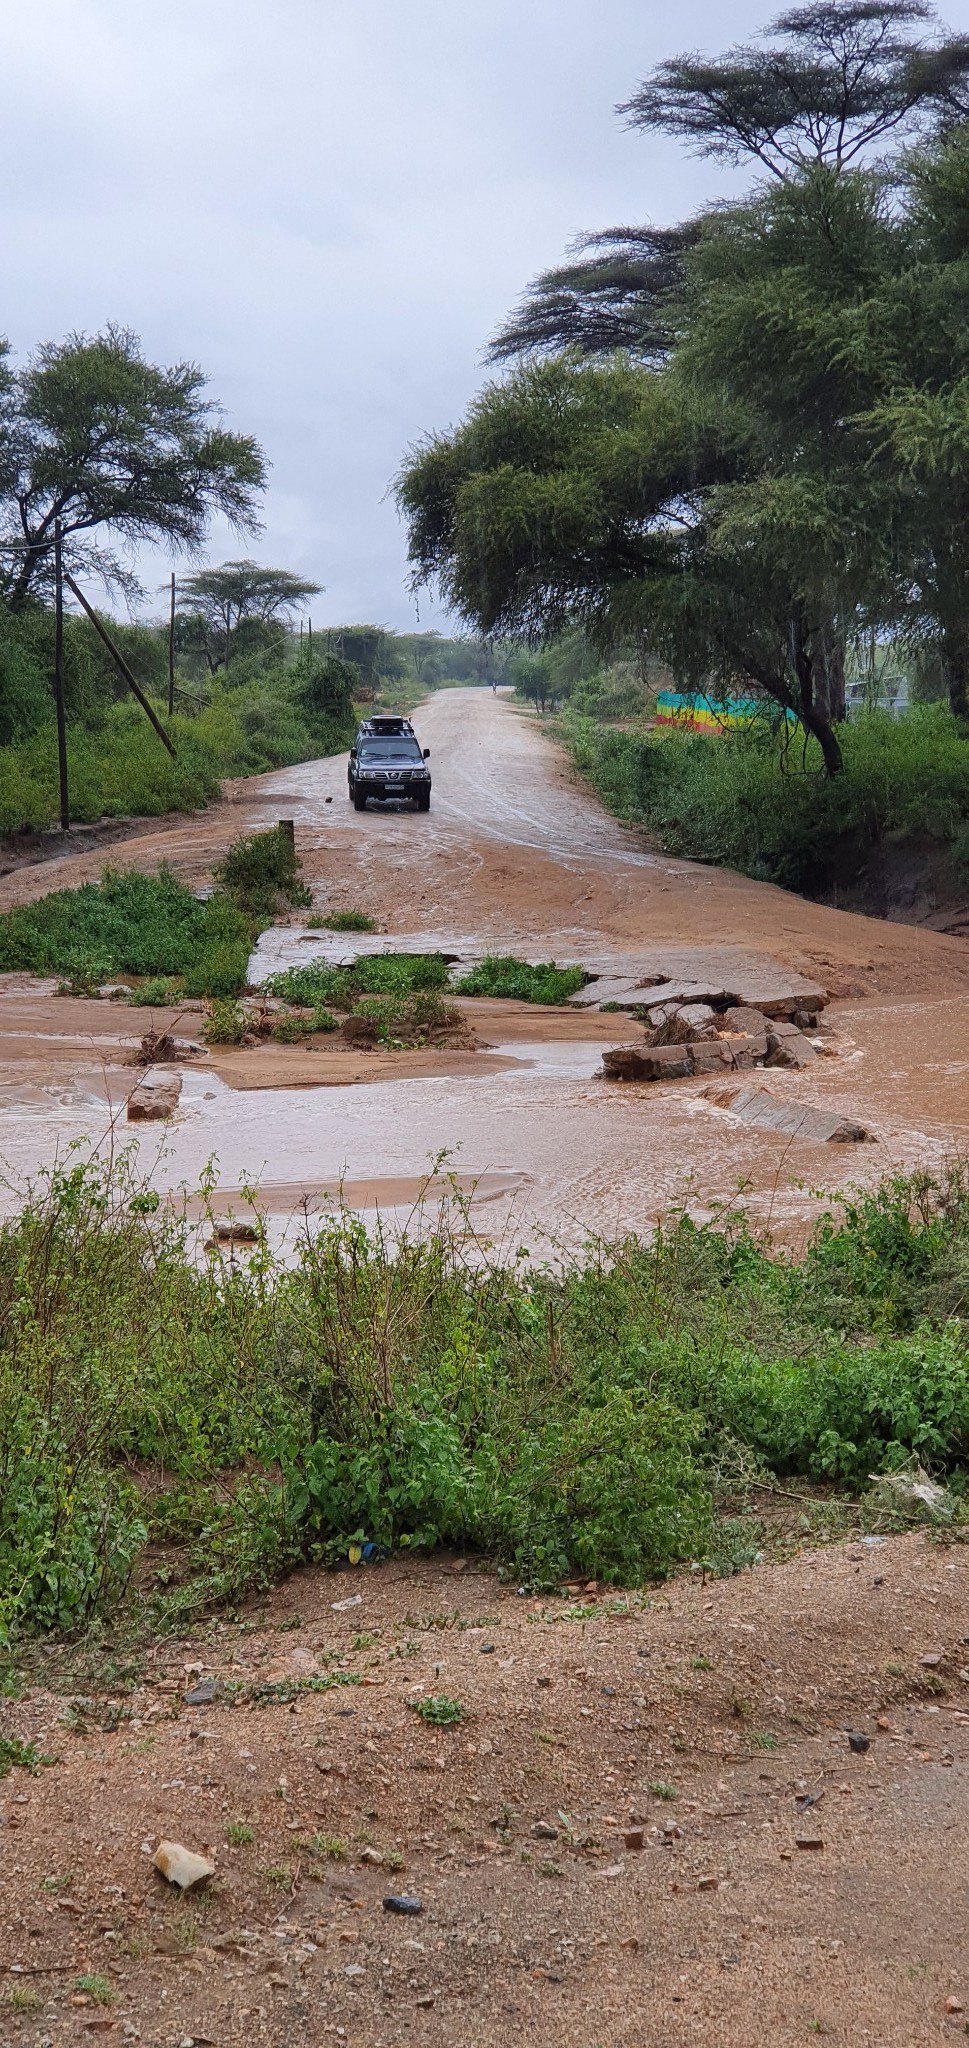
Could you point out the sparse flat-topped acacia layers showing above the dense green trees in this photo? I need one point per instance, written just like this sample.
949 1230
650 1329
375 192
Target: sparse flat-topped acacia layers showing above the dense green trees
829 83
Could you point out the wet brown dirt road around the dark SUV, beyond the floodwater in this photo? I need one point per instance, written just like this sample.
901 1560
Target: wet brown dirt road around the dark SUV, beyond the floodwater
517 855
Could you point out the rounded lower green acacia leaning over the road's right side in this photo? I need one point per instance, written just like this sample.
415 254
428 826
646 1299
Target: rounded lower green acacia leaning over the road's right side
601 497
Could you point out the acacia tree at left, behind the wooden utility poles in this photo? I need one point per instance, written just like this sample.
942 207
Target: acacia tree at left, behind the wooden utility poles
108 445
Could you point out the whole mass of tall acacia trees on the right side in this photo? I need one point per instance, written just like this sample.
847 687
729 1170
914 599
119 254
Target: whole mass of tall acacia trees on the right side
743 441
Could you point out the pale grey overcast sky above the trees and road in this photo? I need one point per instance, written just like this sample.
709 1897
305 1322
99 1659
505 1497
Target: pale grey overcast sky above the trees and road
331 206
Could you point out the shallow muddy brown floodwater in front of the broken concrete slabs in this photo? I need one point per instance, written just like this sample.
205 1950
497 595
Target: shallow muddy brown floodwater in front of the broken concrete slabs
554 1150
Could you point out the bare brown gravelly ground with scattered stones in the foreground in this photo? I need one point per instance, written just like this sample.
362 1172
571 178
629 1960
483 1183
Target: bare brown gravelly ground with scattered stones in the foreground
646 1828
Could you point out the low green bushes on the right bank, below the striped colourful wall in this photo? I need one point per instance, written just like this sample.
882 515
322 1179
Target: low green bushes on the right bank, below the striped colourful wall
888 837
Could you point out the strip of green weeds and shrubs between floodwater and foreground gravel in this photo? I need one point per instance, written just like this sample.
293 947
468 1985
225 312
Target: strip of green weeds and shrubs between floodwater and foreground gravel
196 1426
